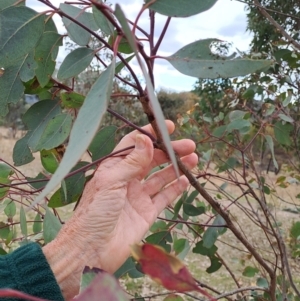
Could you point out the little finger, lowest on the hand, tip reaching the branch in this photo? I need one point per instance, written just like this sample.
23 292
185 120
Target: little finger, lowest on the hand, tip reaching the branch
170 194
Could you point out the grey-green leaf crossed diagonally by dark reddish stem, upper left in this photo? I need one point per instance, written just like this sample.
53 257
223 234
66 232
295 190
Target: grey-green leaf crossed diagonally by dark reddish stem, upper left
78 34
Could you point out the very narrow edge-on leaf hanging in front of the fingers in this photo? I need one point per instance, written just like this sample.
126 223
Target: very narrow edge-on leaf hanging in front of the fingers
157 111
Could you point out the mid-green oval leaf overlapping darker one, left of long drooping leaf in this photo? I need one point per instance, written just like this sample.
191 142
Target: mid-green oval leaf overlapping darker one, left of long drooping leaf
56 132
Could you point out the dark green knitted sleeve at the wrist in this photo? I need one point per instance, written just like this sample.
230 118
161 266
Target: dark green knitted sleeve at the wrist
27 270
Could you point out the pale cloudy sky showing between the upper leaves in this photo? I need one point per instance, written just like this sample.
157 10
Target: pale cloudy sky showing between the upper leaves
226 21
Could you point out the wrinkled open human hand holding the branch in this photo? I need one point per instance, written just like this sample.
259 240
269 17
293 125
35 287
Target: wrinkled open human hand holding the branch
118 207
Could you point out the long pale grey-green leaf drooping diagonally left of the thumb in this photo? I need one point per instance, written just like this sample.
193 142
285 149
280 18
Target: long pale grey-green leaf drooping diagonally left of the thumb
84 128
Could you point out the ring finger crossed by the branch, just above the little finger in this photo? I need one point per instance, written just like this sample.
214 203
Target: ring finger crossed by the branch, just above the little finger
160 179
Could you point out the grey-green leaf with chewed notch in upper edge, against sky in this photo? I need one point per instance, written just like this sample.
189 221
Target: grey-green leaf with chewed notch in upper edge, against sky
197 60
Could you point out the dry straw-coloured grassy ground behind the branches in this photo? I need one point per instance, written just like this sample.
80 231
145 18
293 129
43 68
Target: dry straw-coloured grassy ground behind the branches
229 249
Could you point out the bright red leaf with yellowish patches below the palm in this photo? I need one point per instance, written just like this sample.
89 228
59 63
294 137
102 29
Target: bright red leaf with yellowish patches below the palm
165 269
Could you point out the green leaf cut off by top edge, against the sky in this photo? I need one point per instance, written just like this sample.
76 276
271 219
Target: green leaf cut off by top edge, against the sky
181 8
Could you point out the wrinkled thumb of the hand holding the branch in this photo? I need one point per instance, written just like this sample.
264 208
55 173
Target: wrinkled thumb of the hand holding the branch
137 163
